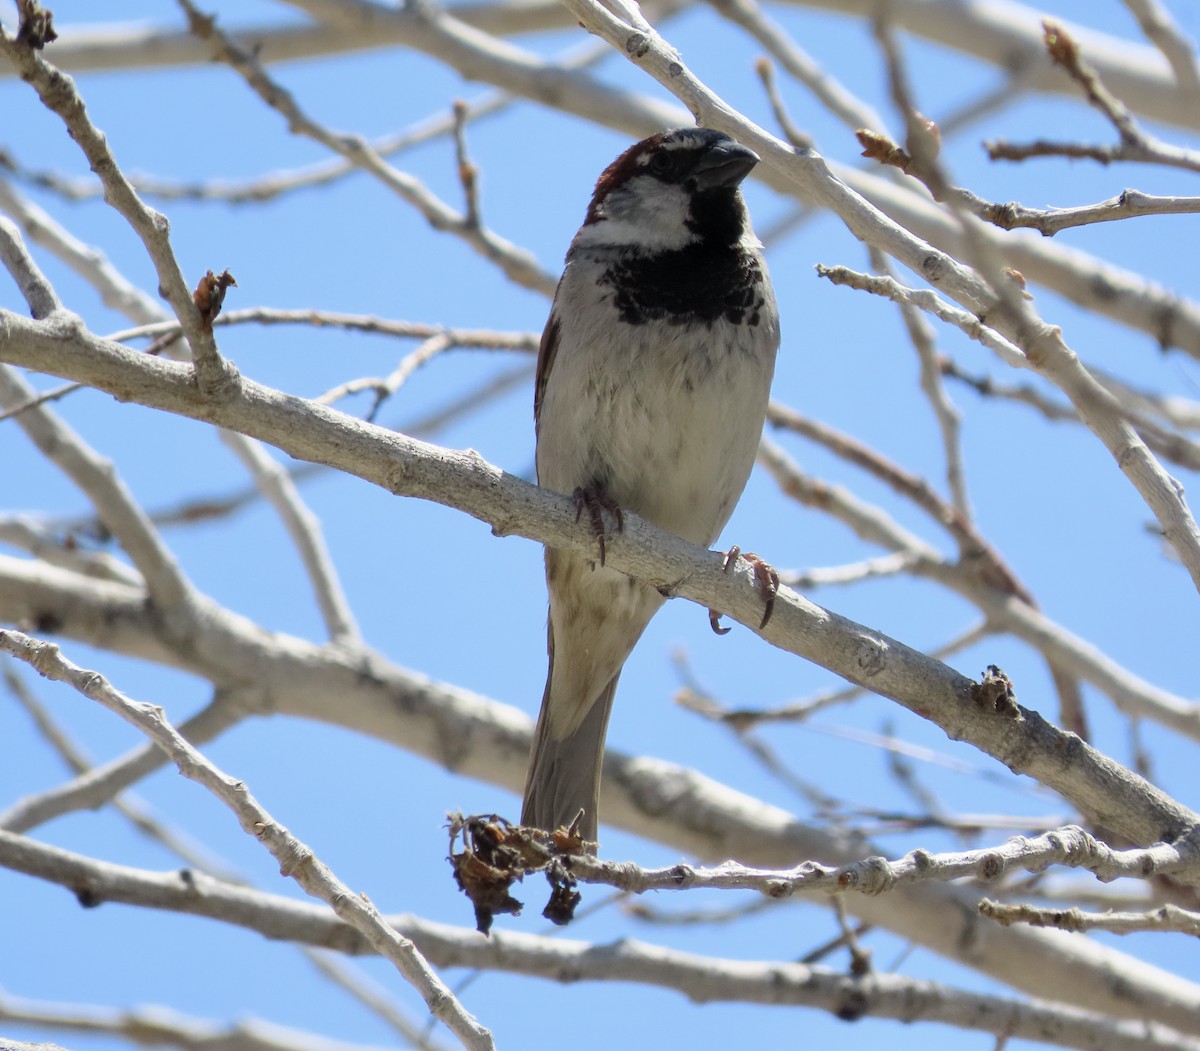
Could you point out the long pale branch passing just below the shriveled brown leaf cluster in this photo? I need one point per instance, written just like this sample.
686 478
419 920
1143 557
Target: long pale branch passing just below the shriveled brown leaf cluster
704 978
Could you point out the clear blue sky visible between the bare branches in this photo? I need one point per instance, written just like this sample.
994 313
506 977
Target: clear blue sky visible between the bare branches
435 592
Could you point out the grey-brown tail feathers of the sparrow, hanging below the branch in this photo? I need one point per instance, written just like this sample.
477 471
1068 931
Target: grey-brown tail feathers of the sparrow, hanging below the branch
565 773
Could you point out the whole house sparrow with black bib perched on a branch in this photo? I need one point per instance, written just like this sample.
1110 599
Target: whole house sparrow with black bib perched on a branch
652 388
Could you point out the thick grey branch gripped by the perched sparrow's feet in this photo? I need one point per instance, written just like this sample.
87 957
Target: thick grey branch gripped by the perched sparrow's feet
411 469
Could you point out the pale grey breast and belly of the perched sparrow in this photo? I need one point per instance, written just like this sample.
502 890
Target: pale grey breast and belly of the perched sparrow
661 406
